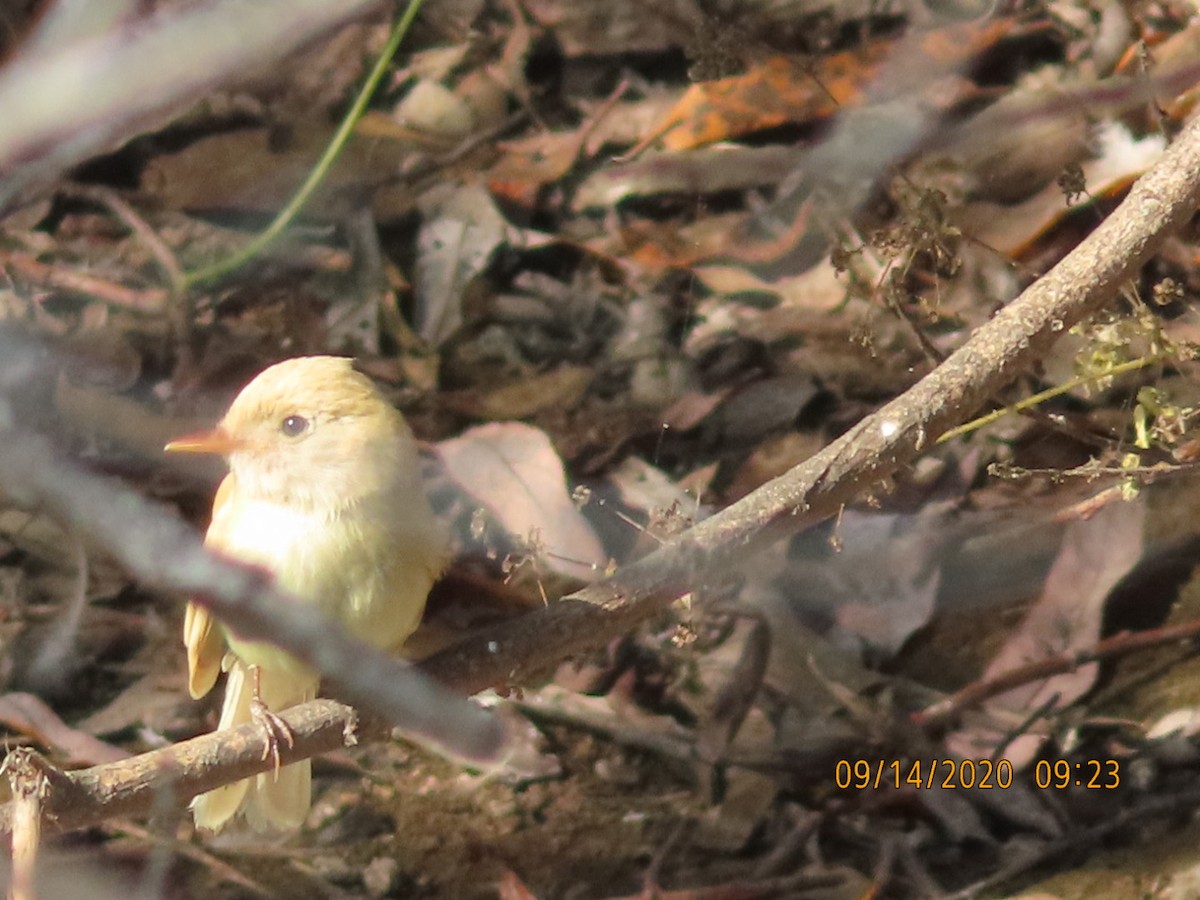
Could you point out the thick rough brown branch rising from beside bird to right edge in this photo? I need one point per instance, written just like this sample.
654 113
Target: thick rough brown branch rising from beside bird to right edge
881 445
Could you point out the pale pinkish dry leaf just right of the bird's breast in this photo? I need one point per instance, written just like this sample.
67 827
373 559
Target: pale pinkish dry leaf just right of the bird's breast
514 471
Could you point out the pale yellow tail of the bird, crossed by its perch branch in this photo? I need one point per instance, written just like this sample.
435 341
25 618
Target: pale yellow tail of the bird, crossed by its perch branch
272 801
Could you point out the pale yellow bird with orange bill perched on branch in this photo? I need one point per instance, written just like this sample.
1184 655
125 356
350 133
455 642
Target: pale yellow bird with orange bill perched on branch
325 491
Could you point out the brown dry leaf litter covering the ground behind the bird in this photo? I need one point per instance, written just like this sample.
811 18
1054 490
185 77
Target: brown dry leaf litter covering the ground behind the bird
621 268
